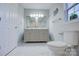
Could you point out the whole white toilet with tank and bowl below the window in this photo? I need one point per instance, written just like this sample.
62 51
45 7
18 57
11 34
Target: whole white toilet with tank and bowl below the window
62 48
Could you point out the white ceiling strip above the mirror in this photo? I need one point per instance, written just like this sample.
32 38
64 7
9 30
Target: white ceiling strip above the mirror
37 5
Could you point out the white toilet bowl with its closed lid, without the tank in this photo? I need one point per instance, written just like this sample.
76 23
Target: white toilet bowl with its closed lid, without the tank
59 47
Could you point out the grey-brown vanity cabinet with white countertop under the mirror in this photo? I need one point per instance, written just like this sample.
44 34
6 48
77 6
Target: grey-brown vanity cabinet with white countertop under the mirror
36 35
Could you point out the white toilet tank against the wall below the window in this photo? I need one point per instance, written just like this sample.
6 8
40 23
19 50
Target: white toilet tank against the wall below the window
71 37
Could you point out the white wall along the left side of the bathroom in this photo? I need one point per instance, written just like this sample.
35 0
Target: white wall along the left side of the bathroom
11 26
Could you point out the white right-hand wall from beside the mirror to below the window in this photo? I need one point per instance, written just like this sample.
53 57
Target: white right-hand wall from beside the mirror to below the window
59 26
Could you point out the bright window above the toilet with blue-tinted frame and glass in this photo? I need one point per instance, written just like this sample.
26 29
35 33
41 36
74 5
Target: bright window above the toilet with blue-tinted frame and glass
70 9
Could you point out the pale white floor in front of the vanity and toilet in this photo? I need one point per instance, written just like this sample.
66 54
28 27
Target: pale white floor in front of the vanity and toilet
31 49
